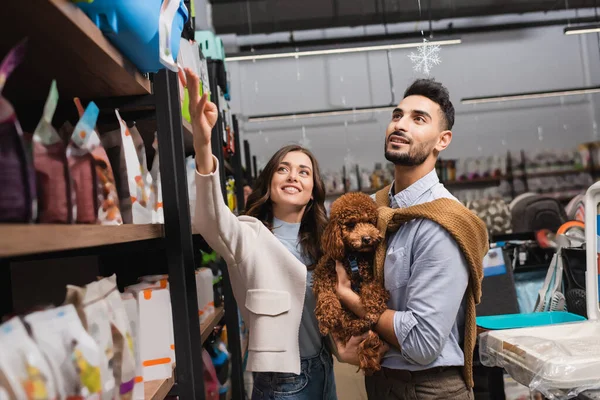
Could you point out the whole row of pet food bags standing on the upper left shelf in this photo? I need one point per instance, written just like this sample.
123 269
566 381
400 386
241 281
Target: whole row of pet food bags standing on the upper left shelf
72 174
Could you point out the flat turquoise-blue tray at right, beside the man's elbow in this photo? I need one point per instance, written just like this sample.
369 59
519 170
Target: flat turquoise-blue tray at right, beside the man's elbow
512 321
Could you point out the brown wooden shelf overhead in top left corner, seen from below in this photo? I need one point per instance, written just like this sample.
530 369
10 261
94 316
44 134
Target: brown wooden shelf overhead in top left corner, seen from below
71 49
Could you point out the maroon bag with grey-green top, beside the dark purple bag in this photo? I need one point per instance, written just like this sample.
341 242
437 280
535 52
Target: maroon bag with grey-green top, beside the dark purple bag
55 203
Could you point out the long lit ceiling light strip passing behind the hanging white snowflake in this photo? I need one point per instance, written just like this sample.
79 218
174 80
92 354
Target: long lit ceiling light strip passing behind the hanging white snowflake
340 51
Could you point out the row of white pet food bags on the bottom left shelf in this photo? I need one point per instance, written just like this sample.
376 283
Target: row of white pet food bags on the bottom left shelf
86 348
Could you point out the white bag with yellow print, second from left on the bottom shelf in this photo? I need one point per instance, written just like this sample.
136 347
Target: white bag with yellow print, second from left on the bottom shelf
73 355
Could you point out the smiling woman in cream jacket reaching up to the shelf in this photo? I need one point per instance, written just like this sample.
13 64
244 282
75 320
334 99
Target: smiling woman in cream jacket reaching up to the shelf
269 252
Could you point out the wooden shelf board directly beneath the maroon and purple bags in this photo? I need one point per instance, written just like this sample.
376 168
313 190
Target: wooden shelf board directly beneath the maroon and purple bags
21 239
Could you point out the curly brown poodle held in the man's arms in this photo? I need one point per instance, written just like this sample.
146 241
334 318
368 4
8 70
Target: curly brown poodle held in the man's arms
351 237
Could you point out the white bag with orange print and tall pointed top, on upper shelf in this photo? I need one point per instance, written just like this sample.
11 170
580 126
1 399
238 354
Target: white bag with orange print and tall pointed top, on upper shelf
139 192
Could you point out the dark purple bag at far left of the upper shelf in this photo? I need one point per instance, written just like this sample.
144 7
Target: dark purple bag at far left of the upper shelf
17 180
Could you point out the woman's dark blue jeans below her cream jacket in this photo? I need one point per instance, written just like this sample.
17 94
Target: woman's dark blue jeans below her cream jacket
315 382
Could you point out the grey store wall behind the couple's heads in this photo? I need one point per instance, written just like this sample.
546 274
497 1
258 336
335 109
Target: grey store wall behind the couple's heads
530 60
